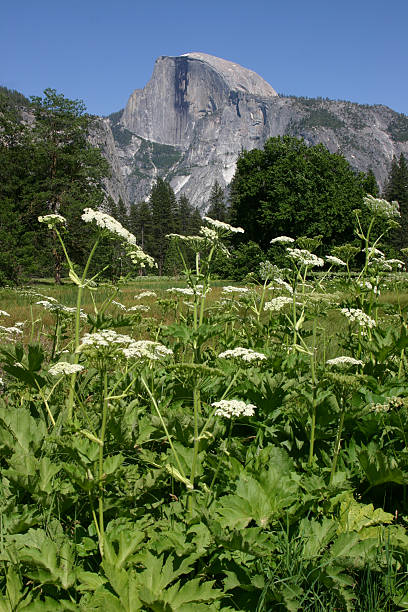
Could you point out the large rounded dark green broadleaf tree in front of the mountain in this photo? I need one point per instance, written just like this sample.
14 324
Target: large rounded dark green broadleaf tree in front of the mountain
293 189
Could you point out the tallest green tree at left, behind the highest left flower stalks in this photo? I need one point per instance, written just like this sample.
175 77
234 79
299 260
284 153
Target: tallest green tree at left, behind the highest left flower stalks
68 171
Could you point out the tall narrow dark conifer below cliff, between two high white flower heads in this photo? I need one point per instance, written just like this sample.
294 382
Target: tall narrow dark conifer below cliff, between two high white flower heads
163 207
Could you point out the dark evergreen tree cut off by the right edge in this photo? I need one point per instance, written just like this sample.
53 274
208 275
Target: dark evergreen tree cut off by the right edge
397 189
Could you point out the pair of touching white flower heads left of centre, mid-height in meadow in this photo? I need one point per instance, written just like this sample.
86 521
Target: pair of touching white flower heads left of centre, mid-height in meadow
109 344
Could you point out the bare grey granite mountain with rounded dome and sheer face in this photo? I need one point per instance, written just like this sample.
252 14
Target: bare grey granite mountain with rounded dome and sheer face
197 112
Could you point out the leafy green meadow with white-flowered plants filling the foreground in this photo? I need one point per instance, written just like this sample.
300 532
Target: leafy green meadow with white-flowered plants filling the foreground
243 449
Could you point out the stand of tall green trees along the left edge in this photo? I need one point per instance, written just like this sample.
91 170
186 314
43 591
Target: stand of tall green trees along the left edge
46 165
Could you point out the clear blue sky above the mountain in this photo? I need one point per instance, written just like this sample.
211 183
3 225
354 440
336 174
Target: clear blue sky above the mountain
100 51
